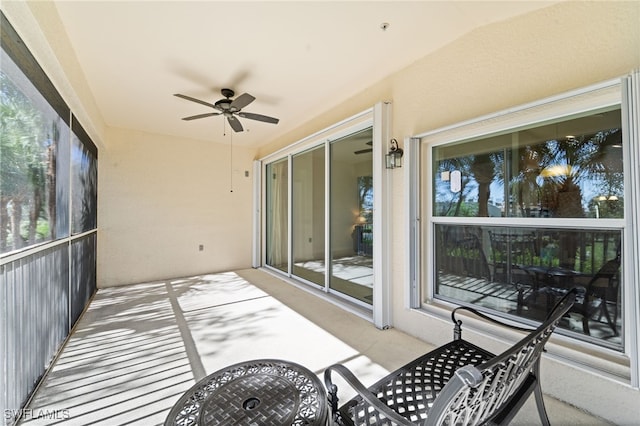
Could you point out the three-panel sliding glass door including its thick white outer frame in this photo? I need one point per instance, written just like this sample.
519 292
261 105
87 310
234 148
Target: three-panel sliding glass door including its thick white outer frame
323 200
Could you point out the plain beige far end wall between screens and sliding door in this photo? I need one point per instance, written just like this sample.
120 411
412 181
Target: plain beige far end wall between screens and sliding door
161 198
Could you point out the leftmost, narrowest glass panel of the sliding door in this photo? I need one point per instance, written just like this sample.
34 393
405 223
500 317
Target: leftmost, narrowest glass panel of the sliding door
277 232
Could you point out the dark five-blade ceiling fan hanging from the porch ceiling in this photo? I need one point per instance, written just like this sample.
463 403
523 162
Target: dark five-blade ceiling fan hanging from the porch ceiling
230 108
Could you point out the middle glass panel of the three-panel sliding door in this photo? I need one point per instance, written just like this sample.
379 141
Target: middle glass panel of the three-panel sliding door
308 215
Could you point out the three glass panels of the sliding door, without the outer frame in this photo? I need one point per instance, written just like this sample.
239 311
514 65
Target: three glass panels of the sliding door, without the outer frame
319 215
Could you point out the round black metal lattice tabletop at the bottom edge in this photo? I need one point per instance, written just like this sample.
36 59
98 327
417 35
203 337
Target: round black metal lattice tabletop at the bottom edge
257 392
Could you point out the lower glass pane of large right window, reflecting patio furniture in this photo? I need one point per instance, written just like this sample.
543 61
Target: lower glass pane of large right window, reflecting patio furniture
522 271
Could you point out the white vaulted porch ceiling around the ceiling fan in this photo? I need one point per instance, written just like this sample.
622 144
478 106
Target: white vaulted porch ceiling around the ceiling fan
297 58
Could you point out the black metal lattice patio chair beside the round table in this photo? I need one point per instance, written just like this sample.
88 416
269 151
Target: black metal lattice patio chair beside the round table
456 384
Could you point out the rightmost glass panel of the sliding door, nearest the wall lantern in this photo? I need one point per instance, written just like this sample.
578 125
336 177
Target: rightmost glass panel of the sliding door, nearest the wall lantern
351 216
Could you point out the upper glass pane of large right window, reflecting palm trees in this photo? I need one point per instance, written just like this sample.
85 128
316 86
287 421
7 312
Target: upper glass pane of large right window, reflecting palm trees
569 169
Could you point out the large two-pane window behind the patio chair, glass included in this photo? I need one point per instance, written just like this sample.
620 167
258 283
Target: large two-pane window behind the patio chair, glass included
528 204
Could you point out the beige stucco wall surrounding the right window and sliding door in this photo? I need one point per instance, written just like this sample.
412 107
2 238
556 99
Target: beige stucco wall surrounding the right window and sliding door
554 50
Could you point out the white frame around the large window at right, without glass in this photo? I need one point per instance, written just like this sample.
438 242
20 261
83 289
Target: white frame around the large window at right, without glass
624 92
